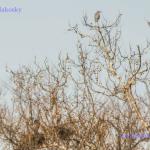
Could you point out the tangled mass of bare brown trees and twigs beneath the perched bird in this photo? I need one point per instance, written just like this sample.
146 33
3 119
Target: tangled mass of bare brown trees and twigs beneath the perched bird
84 104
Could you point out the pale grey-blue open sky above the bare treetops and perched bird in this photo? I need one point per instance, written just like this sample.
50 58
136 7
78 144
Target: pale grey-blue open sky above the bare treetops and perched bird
40 29
